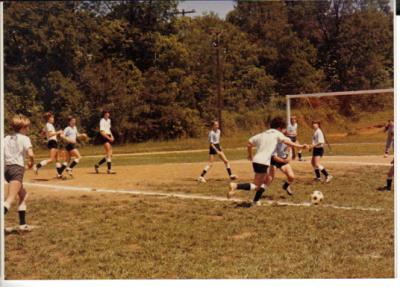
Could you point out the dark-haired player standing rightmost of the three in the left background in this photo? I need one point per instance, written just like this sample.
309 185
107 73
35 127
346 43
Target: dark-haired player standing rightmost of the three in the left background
107 138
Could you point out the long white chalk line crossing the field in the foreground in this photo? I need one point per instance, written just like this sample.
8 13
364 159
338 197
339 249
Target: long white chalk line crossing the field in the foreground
193 196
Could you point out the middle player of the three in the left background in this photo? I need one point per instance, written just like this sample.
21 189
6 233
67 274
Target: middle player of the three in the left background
70 136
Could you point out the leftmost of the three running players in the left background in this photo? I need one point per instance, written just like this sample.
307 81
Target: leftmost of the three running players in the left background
52 144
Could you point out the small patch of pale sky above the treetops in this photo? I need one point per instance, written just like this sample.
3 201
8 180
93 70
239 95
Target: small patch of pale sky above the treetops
221 7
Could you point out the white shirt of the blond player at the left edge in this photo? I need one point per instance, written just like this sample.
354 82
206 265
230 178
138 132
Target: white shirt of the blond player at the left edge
15 149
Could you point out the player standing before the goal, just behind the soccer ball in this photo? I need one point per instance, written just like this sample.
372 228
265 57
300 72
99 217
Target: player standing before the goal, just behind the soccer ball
318 141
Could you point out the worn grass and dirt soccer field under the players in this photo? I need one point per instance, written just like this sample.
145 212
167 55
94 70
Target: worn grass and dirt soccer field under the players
99 235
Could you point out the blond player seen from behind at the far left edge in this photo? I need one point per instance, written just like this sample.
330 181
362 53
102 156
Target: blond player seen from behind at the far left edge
16 147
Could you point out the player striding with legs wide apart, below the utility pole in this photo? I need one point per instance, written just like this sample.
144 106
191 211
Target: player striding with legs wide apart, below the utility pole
214 137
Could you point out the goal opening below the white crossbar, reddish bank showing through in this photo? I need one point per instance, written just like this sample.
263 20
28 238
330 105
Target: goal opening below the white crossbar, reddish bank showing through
349 116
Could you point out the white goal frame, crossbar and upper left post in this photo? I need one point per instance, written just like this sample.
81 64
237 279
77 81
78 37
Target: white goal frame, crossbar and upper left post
330 94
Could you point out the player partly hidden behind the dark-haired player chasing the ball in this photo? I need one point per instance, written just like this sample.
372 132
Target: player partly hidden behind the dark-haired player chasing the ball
280 160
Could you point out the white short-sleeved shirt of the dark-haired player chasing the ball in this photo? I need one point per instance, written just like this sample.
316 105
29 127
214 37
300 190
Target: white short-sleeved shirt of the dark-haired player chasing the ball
265 143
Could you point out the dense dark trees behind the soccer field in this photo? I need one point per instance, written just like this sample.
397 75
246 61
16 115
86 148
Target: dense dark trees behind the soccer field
156 71
